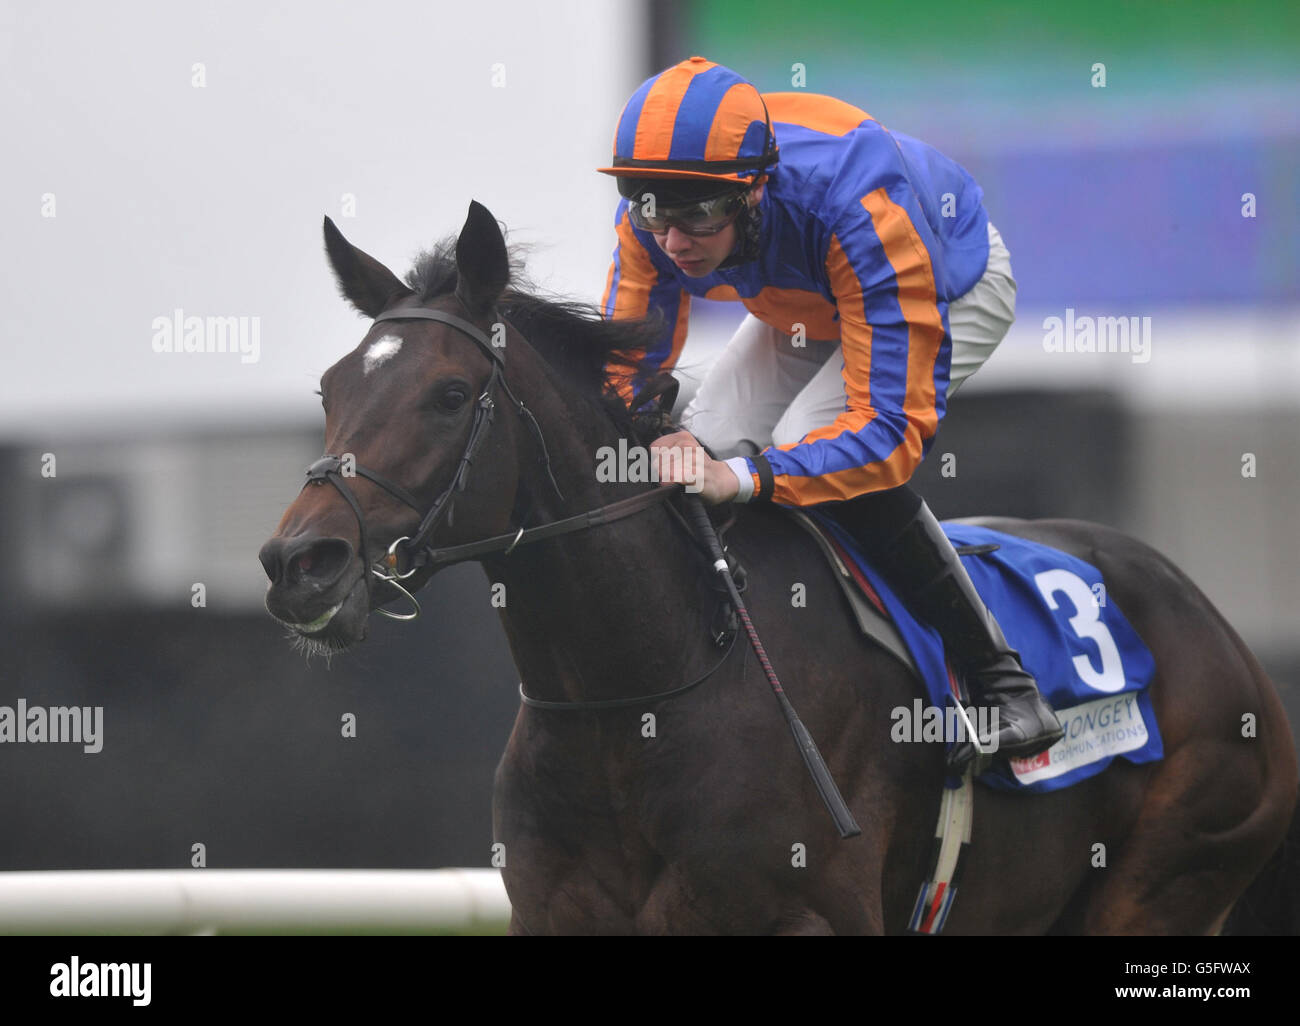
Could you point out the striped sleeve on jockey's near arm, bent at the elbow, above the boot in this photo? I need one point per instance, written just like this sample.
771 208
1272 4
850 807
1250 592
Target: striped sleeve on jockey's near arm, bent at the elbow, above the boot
895 337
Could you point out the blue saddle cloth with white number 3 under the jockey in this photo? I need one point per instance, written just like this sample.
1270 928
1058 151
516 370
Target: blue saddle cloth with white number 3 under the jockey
1089 661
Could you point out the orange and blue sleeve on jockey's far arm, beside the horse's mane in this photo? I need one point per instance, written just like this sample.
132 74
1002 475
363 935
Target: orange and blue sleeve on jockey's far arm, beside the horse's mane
635 288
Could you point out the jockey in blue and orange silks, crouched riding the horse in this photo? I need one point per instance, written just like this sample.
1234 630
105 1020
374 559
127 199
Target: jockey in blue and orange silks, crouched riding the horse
876 285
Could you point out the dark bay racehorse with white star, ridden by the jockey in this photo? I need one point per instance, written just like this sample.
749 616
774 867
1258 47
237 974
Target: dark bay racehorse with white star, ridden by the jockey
694 815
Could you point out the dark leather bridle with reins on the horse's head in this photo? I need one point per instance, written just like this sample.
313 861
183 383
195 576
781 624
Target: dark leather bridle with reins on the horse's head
415 549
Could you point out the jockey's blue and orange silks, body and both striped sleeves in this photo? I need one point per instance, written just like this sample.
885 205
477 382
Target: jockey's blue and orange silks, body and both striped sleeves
866 237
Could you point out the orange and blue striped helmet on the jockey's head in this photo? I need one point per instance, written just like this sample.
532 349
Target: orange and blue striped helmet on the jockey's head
696 122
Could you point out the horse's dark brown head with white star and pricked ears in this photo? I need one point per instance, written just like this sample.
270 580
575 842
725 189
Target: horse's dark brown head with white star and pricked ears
402 414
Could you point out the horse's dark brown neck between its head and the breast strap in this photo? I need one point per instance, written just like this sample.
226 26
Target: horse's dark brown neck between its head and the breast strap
609 612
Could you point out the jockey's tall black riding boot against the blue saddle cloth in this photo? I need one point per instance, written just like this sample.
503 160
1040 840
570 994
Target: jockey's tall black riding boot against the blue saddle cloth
922 566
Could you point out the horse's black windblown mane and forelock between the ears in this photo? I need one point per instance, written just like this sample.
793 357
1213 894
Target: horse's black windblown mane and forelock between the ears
573 337
